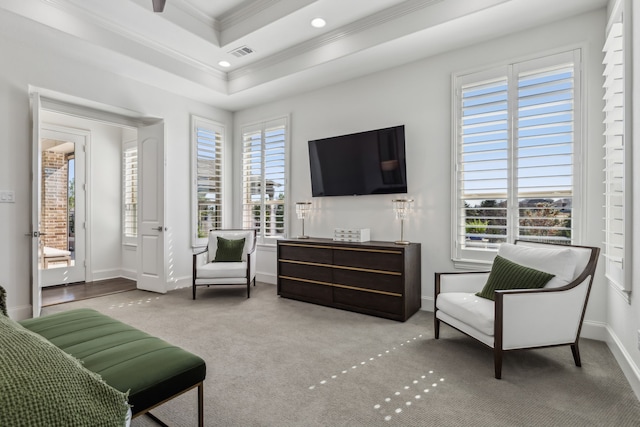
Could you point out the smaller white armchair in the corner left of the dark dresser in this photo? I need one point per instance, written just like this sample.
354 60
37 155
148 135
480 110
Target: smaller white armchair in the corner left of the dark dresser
209 272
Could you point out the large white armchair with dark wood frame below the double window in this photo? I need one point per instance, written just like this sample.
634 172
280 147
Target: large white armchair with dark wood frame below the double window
521 318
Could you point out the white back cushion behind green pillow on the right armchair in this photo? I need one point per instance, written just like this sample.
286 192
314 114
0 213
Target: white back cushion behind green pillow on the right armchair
562 262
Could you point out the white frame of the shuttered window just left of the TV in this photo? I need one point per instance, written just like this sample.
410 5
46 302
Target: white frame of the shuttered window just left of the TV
260 126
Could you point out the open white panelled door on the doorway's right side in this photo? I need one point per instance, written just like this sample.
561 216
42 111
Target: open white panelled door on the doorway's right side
151 227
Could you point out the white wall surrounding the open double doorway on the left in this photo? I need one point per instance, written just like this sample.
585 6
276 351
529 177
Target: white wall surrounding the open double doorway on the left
26 64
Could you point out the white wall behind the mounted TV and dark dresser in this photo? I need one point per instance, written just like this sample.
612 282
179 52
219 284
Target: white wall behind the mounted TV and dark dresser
418 95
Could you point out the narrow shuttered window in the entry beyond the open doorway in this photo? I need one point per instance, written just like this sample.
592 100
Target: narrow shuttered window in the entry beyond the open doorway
130 193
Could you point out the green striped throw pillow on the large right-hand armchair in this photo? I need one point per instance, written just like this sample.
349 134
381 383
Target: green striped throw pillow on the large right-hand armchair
506 274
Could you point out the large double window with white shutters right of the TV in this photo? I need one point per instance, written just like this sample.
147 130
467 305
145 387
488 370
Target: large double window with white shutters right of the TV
517 136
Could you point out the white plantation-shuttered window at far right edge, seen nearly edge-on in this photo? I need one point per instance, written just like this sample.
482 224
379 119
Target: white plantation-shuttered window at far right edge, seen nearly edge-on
617 221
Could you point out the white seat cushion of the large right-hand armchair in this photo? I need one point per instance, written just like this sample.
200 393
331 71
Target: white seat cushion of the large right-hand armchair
468 308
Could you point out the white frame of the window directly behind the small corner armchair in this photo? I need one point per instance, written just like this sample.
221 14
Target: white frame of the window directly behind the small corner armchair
215 127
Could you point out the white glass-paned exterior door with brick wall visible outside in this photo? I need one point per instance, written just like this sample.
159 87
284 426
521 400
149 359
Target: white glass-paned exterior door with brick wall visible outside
62 200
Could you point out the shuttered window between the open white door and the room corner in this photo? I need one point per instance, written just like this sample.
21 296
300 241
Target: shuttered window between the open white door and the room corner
208 138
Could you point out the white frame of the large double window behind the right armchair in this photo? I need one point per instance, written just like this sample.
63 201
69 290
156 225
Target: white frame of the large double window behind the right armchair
469 258
